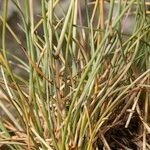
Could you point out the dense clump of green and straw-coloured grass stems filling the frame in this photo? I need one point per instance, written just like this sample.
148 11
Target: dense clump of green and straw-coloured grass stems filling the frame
88 84
